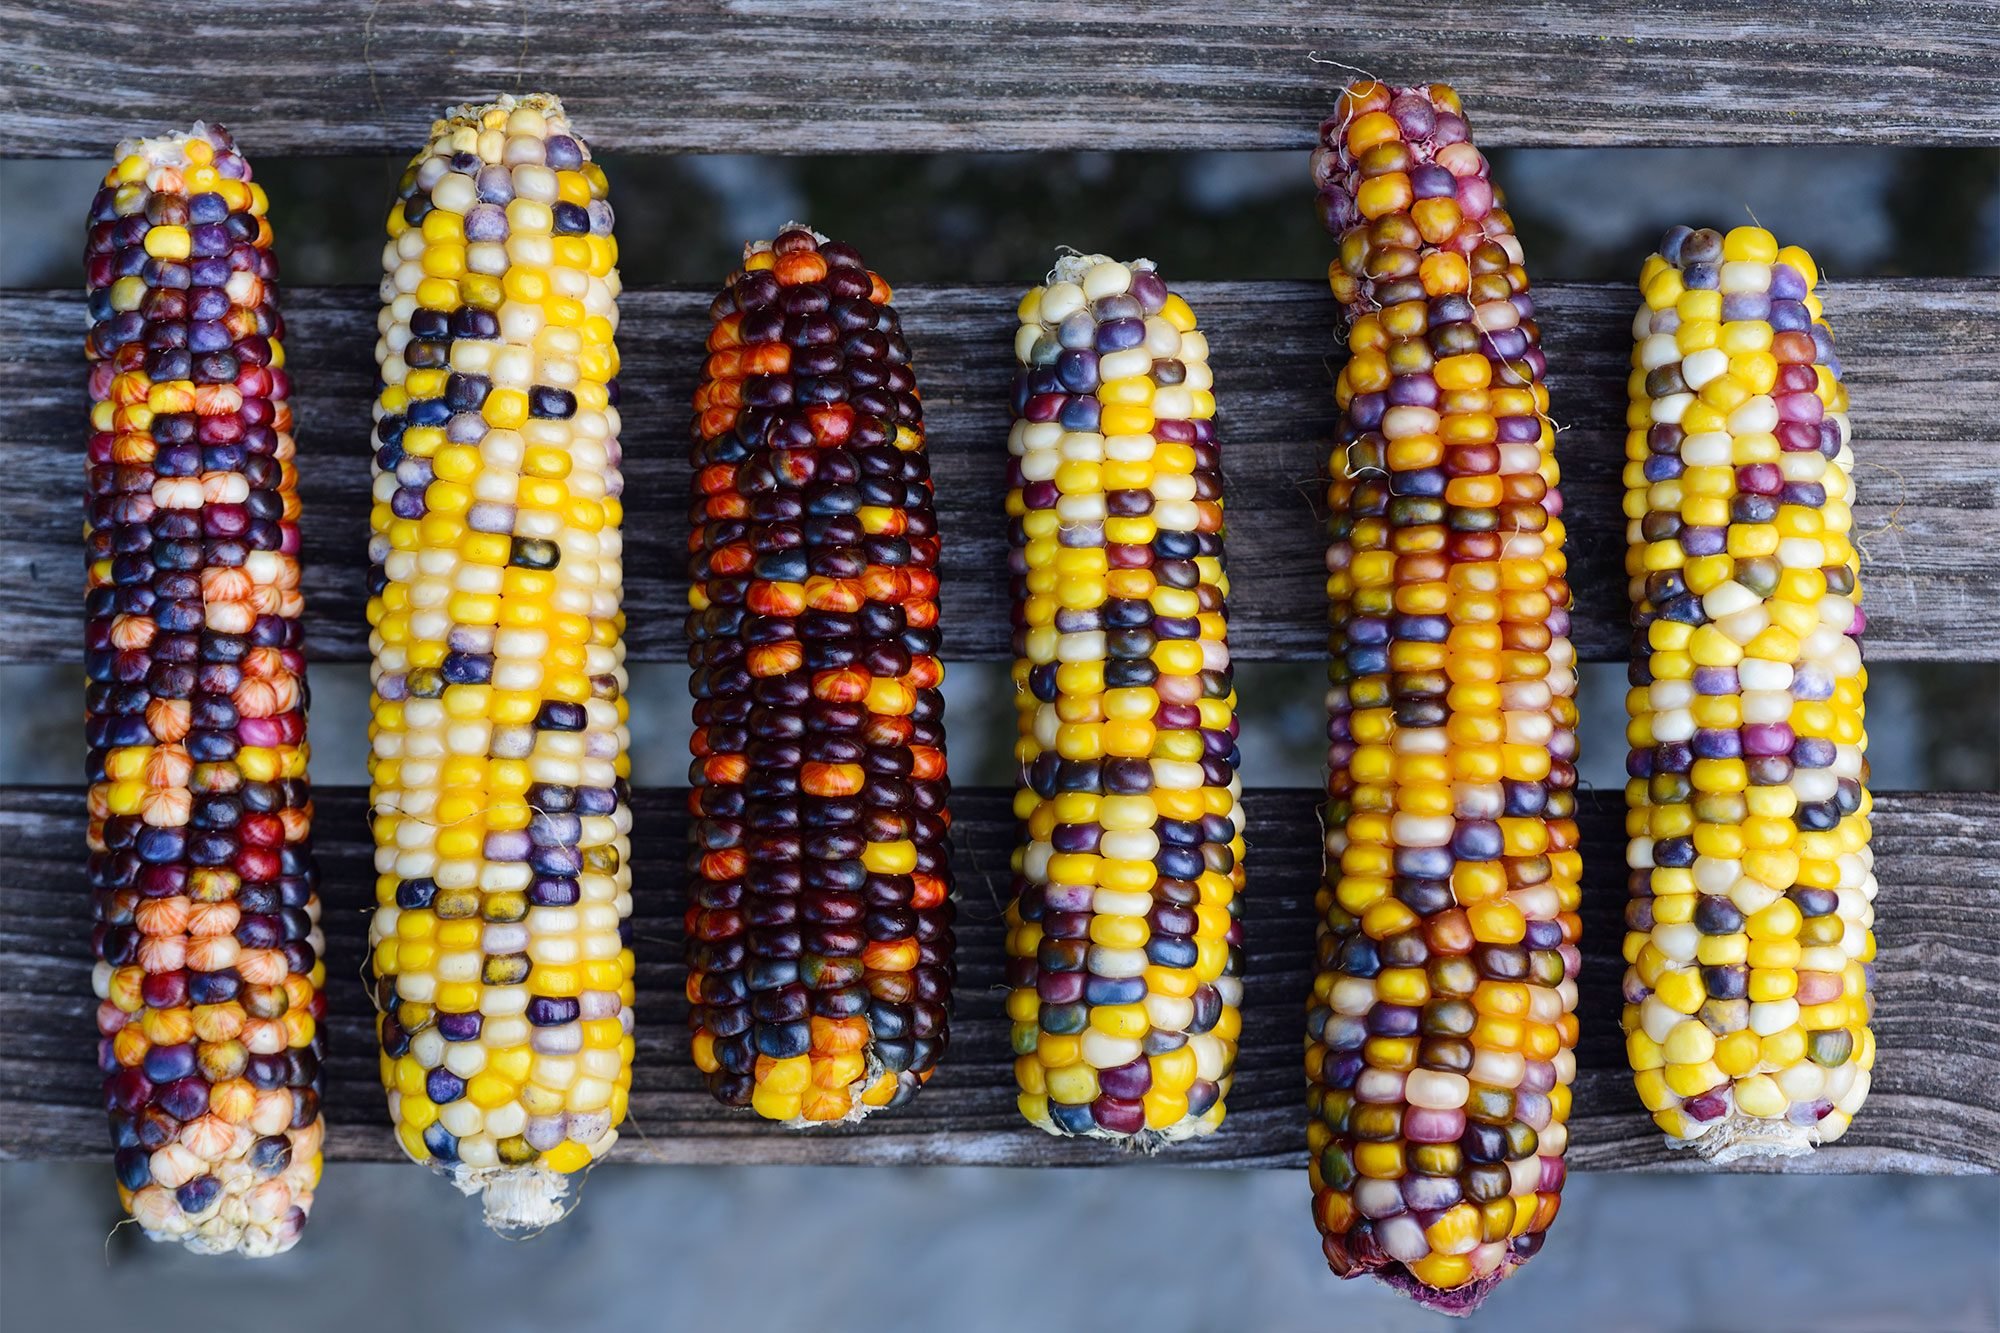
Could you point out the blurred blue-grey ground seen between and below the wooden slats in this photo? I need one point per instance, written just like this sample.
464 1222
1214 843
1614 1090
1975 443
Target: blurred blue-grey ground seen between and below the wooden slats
993 1248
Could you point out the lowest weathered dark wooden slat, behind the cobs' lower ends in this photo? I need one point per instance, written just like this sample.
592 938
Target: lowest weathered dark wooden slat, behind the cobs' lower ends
1935 1106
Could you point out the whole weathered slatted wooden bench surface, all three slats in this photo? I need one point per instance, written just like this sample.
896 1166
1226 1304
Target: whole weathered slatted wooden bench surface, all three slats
367 77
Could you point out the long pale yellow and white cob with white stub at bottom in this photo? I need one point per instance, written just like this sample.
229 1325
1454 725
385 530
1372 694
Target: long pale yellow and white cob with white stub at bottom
499 770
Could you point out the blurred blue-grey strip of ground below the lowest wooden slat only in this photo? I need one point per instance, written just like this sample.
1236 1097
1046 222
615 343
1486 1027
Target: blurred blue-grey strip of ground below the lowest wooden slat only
1137 1250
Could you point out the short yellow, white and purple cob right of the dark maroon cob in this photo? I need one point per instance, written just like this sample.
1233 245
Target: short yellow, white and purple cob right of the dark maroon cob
1125 954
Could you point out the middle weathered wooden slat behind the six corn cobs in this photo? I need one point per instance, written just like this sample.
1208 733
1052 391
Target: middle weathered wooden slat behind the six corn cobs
1923 359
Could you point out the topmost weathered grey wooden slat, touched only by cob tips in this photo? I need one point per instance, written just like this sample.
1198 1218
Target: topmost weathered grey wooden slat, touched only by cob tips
995 75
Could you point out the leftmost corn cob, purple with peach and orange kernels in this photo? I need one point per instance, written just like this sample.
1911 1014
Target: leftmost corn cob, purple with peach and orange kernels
207 922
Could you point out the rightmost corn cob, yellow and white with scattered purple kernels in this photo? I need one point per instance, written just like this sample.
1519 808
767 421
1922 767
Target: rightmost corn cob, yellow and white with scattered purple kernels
1753 892
